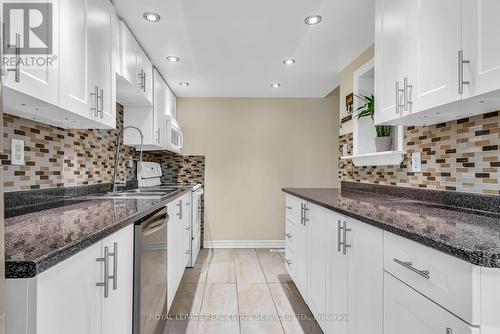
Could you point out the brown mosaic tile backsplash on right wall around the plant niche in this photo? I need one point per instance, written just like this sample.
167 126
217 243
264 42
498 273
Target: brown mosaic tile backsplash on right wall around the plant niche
460 155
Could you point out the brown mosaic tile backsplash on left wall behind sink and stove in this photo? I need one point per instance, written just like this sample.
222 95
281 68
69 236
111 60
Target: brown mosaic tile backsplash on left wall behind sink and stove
56 157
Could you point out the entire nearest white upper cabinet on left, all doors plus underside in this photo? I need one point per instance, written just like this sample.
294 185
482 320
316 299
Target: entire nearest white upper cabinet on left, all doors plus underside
78 89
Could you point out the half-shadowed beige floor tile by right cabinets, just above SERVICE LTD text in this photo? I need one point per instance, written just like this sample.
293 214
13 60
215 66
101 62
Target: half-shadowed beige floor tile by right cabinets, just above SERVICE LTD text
288 300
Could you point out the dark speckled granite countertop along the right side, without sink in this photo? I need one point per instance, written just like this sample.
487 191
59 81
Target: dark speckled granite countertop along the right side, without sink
469 234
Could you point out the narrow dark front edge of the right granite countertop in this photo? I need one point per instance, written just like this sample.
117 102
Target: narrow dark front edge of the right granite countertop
481 259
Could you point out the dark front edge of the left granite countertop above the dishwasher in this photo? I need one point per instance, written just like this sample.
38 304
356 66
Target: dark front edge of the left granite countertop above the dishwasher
30 269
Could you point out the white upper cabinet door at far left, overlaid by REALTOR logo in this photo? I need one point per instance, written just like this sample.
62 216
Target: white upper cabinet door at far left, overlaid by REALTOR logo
40 82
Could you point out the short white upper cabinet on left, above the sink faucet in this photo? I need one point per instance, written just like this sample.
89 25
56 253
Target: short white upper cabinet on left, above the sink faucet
135 78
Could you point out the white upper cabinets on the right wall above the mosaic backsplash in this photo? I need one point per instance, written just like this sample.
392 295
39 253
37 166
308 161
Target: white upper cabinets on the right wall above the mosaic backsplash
436 60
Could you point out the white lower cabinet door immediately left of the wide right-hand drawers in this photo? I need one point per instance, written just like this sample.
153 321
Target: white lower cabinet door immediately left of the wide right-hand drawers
365 278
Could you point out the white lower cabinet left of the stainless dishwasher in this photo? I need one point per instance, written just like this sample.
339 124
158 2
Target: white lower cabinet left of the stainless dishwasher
65 298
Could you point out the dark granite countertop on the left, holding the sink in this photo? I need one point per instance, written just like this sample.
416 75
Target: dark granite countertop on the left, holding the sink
37 241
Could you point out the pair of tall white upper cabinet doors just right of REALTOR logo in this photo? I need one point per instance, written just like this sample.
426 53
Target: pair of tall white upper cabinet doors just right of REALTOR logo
86 64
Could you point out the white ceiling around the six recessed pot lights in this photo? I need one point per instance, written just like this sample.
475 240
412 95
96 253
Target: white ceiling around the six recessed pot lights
235 48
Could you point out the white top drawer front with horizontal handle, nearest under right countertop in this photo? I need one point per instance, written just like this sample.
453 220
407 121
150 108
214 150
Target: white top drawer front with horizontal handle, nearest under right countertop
452 283
